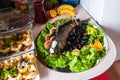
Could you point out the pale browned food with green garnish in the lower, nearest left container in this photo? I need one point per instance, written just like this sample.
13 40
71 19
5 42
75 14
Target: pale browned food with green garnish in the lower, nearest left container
22 67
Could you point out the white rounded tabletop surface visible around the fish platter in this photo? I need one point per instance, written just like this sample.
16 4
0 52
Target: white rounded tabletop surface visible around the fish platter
48 74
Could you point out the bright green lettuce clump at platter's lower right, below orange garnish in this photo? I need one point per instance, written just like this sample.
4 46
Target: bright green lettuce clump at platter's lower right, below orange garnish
87 59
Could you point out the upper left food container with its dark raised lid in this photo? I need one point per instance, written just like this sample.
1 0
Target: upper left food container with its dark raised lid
15 36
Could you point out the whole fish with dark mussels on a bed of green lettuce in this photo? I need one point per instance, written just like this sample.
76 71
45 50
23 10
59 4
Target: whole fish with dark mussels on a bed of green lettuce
71 45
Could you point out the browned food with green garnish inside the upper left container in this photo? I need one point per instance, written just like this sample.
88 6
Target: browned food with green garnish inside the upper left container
15 42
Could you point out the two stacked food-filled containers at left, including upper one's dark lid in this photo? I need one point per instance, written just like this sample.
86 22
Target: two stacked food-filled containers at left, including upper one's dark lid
17 57
